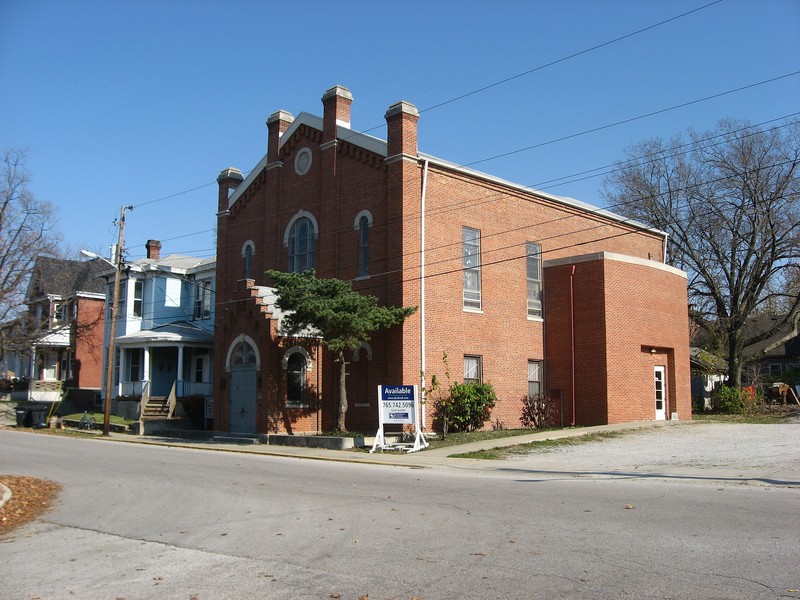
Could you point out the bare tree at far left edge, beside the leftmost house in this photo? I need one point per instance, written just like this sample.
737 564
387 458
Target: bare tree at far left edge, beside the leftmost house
26 231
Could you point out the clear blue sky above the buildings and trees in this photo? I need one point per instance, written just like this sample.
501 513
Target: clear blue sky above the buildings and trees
144 103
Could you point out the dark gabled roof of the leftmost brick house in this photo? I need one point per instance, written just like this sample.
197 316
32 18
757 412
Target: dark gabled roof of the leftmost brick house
63 278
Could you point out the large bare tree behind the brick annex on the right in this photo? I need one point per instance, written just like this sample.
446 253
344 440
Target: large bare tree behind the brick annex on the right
729 201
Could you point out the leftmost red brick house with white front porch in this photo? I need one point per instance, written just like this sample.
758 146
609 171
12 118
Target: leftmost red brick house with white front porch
59 341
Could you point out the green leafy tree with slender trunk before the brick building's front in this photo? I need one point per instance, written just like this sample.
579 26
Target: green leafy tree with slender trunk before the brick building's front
343 317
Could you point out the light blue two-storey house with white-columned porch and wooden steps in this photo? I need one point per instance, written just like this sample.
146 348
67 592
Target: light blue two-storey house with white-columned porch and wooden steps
165 331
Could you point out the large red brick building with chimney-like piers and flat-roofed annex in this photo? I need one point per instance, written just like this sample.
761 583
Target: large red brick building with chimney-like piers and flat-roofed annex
522 289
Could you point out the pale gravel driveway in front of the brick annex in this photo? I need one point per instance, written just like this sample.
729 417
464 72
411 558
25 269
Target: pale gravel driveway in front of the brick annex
760 454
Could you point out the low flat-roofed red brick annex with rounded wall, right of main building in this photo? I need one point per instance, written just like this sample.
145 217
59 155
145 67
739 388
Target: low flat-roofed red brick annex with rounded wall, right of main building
629 316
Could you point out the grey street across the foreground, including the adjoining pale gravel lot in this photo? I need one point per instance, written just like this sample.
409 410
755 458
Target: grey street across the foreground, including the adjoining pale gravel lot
655 514
